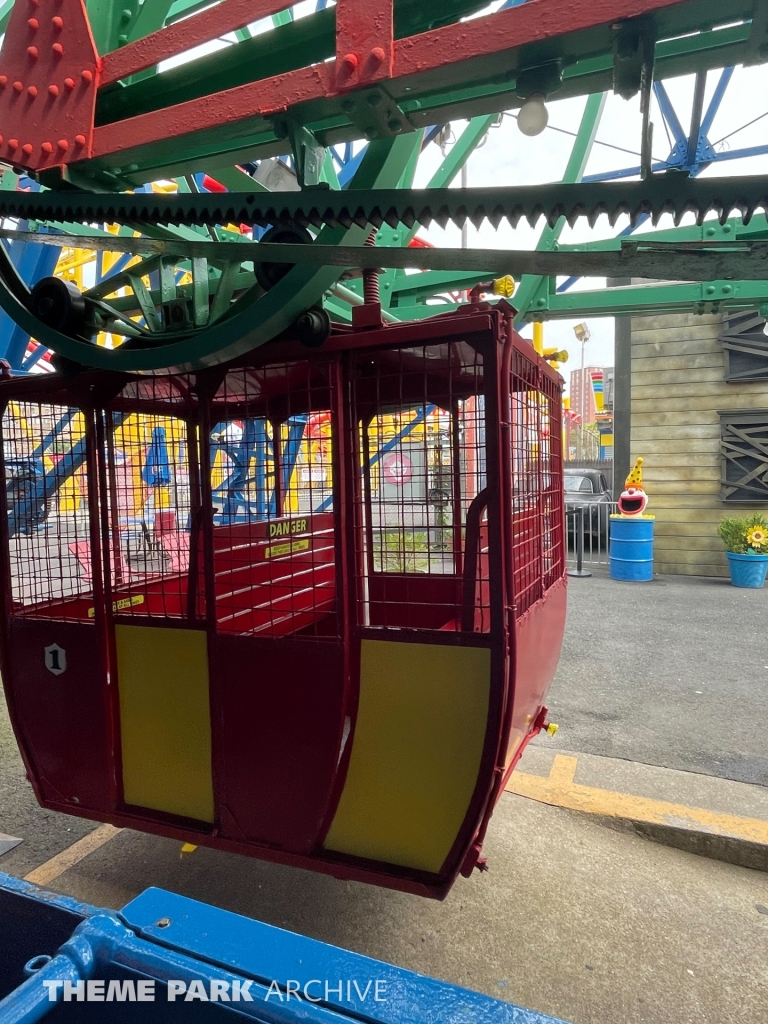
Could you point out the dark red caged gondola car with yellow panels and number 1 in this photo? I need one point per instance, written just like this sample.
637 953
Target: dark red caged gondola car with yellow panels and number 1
307 607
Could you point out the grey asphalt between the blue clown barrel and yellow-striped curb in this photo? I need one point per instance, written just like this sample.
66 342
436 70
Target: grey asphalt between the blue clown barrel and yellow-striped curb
671 673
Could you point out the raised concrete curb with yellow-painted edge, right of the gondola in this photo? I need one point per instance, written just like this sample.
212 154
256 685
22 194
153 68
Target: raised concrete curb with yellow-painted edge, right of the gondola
684 824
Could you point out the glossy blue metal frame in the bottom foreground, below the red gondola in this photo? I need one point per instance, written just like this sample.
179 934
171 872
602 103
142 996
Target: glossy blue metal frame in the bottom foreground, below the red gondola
279 977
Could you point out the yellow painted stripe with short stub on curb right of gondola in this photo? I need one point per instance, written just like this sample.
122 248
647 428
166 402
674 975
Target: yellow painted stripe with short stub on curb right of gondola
560 790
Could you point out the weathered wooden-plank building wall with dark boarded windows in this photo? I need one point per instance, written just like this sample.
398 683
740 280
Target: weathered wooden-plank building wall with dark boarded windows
686 413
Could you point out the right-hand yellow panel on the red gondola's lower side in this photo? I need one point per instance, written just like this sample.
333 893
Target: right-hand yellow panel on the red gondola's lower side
416 755
